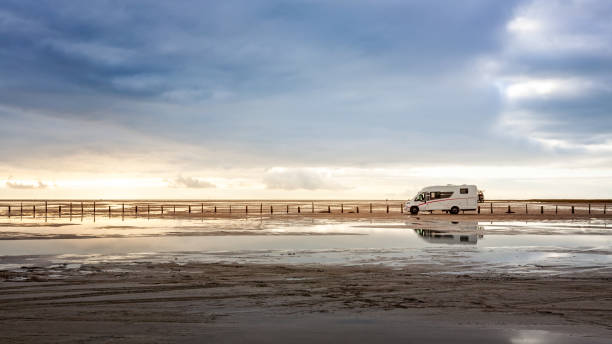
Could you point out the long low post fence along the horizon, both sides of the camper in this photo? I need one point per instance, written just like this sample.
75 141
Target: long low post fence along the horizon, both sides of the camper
61 208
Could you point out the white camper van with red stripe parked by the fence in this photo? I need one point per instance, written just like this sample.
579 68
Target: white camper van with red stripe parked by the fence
452 198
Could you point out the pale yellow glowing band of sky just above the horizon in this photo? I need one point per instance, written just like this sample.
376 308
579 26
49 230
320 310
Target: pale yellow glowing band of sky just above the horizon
318 183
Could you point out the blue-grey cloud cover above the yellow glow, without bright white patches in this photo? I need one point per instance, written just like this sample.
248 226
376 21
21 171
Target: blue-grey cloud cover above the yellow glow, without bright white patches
312 82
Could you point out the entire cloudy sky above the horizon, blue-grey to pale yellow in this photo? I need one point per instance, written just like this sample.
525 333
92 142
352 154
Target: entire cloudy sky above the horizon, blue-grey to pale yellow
304 99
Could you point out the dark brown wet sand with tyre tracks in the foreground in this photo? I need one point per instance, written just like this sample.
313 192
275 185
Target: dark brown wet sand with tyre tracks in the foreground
194 302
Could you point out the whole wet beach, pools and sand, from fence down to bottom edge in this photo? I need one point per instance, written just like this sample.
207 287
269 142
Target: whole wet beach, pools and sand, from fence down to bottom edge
426 278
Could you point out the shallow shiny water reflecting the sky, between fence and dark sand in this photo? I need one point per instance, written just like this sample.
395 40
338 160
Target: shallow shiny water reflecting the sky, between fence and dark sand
461 247
